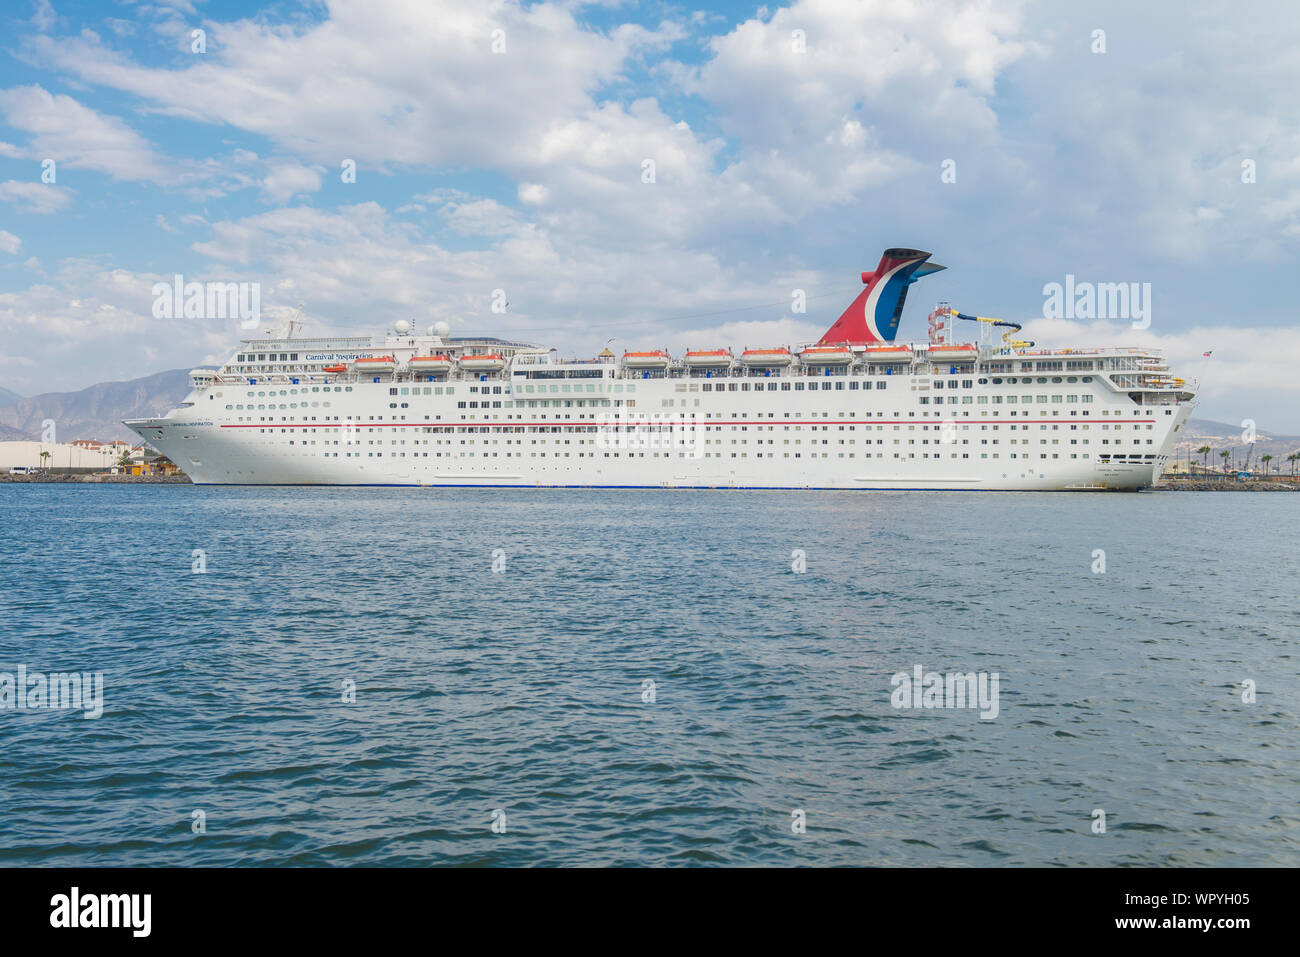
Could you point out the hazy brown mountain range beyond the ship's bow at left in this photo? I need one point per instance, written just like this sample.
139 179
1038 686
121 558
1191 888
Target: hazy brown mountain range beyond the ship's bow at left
94 413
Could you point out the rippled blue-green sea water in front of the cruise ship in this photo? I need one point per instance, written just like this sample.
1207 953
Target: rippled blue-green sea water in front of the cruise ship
519 698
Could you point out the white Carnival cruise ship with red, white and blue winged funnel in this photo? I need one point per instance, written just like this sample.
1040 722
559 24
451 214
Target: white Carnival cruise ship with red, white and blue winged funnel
855 410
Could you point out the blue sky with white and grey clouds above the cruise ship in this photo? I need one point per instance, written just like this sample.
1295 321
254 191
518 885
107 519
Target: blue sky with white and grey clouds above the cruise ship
781 166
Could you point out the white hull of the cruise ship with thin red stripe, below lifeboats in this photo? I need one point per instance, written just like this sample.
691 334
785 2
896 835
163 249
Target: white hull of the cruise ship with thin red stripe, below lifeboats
866 439
